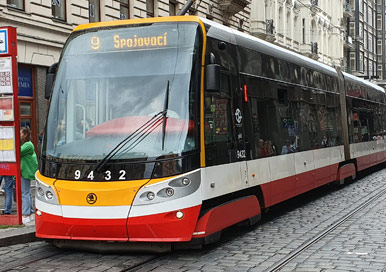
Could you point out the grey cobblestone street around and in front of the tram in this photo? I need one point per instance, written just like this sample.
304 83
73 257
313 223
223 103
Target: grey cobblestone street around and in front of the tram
357 244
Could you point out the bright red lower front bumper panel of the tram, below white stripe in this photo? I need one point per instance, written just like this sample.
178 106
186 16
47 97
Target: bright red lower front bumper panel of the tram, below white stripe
164 227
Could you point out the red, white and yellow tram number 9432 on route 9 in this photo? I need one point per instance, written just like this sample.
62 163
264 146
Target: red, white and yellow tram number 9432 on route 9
169 130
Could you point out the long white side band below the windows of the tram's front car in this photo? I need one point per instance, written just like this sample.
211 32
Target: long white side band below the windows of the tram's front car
227 178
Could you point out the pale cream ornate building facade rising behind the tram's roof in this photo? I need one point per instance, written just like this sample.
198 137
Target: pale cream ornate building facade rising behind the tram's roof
313 28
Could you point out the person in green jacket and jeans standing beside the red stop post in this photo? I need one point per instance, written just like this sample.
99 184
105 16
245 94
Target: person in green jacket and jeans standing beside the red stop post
28 166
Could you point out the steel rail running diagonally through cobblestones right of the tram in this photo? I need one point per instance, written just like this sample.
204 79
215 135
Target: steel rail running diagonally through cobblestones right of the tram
315 239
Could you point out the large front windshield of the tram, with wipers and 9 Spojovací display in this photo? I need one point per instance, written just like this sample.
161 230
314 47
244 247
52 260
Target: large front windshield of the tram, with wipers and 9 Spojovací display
112 83
